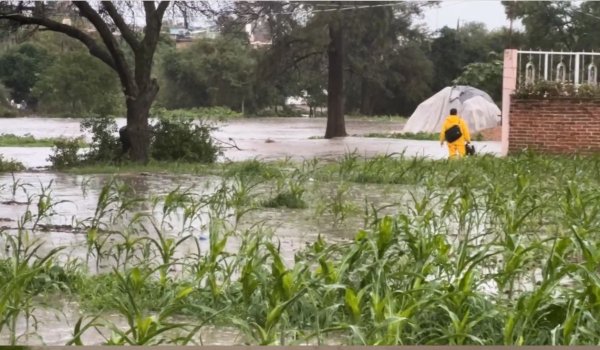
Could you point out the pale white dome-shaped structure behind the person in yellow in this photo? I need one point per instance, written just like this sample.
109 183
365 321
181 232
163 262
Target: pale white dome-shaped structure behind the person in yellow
475 106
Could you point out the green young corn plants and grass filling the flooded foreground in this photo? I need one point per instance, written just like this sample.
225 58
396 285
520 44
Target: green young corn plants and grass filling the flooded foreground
484 251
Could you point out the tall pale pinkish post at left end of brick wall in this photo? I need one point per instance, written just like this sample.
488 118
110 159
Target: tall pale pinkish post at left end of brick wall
509 84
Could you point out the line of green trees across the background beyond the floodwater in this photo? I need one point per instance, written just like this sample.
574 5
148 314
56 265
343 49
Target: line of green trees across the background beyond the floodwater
390 65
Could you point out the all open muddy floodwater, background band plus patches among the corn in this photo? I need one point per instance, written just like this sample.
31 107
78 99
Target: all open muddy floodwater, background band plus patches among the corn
263 138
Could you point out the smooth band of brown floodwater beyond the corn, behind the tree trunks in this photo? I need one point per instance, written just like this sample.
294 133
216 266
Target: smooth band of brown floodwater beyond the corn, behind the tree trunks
262 138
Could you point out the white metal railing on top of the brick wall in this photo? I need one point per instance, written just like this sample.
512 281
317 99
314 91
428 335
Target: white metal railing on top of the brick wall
568 67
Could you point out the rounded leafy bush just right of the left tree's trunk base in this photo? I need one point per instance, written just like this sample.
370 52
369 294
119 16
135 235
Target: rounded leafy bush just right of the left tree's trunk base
183 139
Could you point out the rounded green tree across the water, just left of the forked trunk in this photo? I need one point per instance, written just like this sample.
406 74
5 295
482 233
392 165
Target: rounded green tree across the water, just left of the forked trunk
77 84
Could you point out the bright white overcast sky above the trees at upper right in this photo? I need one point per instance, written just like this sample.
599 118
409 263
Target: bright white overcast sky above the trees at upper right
490 12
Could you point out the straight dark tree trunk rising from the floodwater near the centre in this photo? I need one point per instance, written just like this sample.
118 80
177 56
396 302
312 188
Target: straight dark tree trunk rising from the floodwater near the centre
336 125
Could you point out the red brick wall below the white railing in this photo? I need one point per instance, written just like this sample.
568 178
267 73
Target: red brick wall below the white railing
562 125
